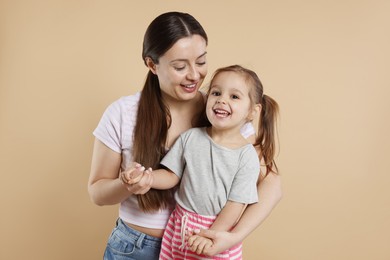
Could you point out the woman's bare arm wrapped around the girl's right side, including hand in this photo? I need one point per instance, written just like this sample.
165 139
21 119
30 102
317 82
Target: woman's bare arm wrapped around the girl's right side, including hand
270 193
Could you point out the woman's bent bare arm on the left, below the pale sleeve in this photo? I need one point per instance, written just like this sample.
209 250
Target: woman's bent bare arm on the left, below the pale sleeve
104 185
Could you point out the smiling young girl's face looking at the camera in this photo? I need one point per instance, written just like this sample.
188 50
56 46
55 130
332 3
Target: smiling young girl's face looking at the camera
228 103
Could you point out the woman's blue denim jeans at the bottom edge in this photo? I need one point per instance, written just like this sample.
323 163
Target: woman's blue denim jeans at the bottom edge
126 243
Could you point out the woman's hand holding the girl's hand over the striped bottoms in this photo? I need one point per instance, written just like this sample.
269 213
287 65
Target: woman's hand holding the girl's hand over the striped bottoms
222 240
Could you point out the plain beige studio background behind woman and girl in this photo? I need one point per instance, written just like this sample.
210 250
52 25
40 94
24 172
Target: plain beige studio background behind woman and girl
327 63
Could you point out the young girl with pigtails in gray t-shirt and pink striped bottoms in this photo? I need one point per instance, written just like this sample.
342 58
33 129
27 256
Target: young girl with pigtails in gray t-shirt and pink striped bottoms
217 166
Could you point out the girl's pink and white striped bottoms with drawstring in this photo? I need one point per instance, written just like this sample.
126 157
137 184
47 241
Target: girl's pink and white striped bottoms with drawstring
174 245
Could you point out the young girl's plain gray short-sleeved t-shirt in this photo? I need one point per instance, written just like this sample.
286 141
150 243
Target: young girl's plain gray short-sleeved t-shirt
211 174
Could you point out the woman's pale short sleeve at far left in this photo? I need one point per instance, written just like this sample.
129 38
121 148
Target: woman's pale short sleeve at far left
108 130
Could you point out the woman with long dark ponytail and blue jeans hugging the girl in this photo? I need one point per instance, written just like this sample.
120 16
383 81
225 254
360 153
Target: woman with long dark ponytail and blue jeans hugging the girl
142 127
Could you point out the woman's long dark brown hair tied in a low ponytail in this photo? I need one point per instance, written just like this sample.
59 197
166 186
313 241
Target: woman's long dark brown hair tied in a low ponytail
153 118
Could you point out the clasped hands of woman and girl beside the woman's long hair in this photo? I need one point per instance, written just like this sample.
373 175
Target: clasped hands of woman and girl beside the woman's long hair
136 179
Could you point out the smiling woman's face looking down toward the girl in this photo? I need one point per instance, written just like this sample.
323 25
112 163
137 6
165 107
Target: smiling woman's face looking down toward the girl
182 69
